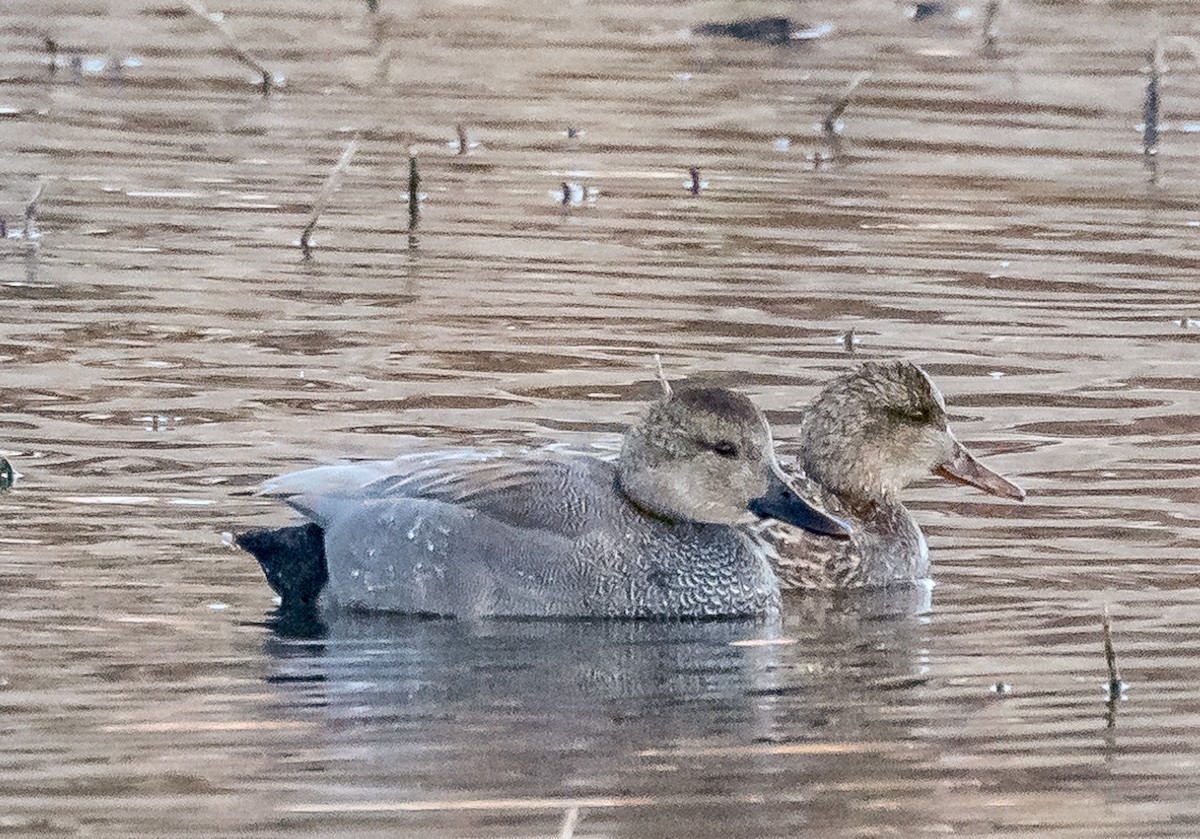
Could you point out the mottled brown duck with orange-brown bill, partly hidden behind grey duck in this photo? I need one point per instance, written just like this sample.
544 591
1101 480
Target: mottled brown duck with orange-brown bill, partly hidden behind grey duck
866 438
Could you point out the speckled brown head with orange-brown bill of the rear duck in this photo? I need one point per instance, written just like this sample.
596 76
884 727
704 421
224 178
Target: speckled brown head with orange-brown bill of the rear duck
879 429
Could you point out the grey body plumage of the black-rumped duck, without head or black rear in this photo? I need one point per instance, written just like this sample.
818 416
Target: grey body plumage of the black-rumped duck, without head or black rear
461 534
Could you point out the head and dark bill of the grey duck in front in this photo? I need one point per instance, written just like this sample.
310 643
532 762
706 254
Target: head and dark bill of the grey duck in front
706 456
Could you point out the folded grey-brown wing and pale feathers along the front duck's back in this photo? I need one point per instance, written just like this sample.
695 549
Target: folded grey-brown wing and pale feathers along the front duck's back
559 494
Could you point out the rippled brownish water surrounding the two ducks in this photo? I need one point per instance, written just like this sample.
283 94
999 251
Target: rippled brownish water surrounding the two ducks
165 347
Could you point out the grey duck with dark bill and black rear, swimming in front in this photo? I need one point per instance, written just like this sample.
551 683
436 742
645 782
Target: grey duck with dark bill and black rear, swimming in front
465 535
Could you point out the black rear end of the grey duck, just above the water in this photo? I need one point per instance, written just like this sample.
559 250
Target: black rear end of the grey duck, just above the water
293 559
